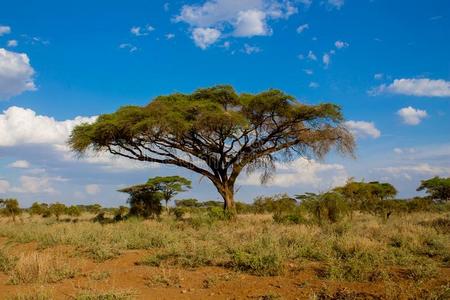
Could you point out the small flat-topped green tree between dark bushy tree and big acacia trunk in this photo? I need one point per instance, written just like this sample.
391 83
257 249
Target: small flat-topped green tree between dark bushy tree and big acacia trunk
169 186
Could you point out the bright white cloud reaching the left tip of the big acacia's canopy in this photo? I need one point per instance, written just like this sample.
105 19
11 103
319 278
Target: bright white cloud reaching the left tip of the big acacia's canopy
23 126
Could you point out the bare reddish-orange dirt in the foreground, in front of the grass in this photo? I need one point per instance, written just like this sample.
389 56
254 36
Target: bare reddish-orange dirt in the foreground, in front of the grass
122 273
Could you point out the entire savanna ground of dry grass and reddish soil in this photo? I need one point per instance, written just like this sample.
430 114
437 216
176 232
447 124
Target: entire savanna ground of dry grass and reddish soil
201 256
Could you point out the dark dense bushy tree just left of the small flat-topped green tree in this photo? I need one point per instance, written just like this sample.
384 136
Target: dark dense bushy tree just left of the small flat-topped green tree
144 200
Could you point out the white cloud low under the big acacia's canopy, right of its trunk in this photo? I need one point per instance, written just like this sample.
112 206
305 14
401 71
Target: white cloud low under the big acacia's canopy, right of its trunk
303 172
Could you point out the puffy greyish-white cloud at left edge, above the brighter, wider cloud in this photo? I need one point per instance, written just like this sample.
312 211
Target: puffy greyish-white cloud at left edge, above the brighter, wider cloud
16 74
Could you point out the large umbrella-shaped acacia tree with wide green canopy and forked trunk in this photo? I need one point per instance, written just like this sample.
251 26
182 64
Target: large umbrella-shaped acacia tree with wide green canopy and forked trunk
218 133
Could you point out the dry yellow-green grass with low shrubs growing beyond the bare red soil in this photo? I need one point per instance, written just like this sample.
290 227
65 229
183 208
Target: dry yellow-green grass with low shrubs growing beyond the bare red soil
365 248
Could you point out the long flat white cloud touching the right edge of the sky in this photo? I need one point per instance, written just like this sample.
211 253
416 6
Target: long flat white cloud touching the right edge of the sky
415 87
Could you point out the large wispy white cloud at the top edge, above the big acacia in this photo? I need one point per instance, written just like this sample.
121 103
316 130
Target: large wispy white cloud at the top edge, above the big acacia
237 18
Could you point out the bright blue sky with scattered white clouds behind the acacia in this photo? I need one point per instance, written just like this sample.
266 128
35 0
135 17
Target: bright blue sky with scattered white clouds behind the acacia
386 62
